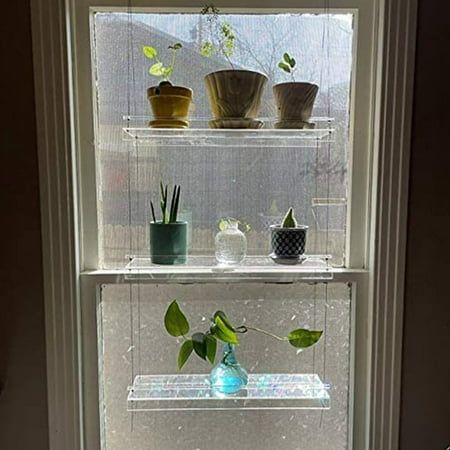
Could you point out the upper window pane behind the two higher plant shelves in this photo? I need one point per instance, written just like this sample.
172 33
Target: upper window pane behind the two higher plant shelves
254 183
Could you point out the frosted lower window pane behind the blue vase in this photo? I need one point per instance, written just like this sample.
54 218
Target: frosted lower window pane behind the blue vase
134 343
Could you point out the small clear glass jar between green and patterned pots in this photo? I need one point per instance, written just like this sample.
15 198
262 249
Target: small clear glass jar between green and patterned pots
231 243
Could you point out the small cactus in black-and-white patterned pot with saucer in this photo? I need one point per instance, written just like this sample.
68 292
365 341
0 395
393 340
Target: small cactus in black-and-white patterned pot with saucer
288 240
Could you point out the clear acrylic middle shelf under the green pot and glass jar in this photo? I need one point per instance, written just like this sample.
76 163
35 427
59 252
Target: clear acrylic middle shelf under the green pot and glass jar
253 268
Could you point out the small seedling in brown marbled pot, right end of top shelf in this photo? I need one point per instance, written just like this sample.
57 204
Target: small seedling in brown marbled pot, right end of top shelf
294 100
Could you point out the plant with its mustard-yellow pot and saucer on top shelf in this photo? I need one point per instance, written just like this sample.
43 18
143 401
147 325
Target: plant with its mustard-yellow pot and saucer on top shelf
170 104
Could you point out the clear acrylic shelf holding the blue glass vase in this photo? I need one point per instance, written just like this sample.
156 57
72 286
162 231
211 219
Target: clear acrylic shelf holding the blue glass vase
192 392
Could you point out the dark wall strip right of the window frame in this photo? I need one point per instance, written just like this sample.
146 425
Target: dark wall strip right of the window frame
425 407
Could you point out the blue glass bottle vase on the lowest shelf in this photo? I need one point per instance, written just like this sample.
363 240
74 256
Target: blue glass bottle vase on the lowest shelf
228 377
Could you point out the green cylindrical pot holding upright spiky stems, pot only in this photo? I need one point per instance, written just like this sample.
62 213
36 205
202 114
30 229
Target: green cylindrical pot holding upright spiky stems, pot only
168 242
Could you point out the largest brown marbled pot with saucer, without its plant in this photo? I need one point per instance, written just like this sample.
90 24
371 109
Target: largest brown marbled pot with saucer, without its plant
235 98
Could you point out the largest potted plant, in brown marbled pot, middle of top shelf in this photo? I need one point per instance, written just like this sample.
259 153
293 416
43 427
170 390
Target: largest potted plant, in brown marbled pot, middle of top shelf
234 94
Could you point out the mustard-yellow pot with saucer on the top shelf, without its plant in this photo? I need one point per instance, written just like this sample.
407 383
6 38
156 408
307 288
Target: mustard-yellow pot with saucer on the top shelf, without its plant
170 105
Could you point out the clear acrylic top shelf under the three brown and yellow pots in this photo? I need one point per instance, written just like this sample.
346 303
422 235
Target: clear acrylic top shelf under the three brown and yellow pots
205 137
